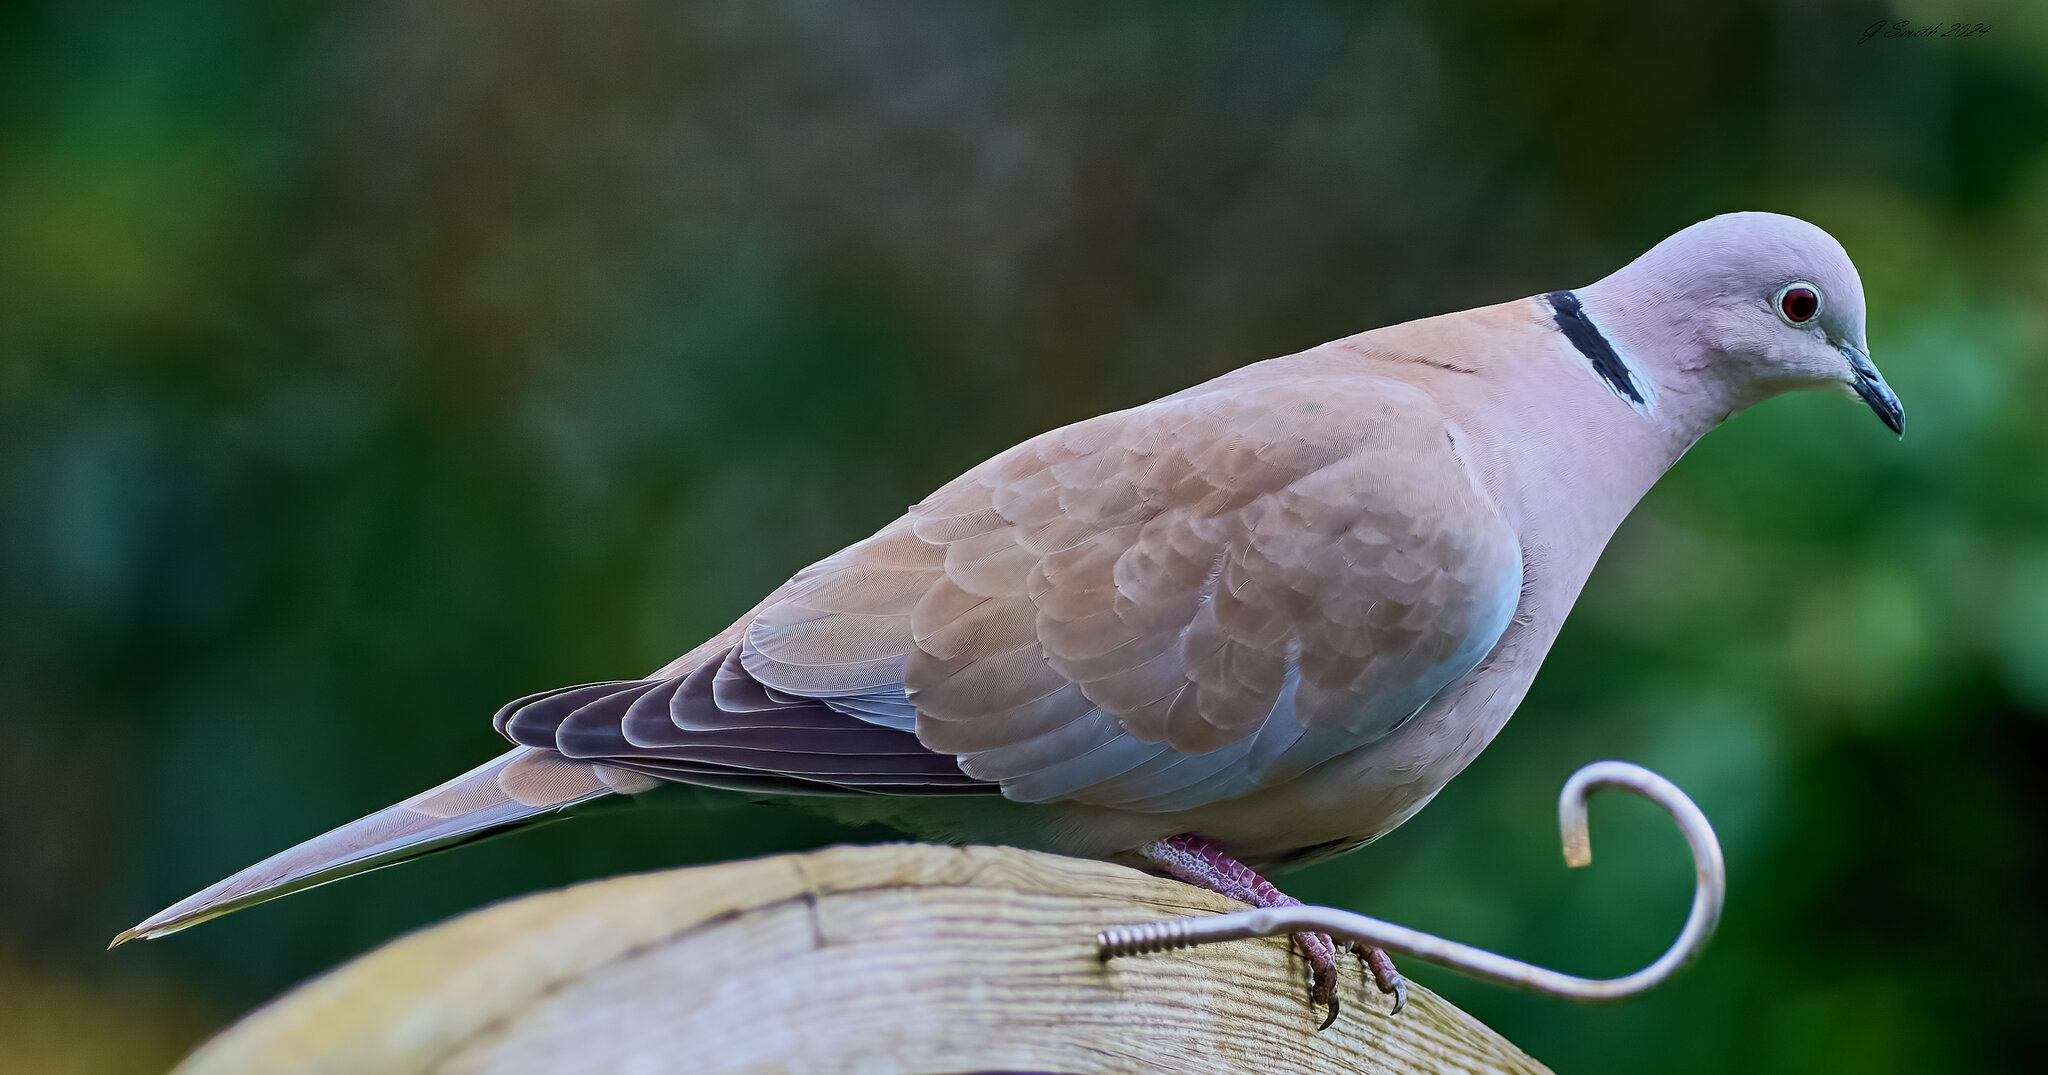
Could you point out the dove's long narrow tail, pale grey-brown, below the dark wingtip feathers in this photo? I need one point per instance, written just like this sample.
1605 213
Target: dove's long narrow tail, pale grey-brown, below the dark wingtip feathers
517 789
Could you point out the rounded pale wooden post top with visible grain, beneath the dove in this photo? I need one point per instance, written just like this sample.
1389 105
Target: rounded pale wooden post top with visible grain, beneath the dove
880 959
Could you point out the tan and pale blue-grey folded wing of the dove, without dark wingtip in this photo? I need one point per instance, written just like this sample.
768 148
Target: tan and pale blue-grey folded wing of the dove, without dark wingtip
1170 605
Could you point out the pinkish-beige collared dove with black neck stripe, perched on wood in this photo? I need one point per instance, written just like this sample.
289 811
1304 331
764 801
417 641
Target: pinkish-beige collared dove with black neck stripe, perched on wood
1256 623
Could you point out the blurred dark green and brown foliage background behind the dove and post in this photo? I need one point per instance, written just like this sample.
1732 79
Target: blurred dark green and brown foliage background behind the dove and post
368 365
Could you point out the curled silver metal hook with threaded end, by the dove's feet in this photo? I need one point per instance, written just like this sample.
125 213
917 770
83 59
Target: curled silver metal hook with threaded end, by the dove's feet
1478 963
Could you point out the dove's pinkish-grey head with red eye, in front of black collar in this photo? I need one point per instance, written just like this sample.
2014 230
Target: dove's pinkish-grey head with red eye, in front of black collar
1742 308
